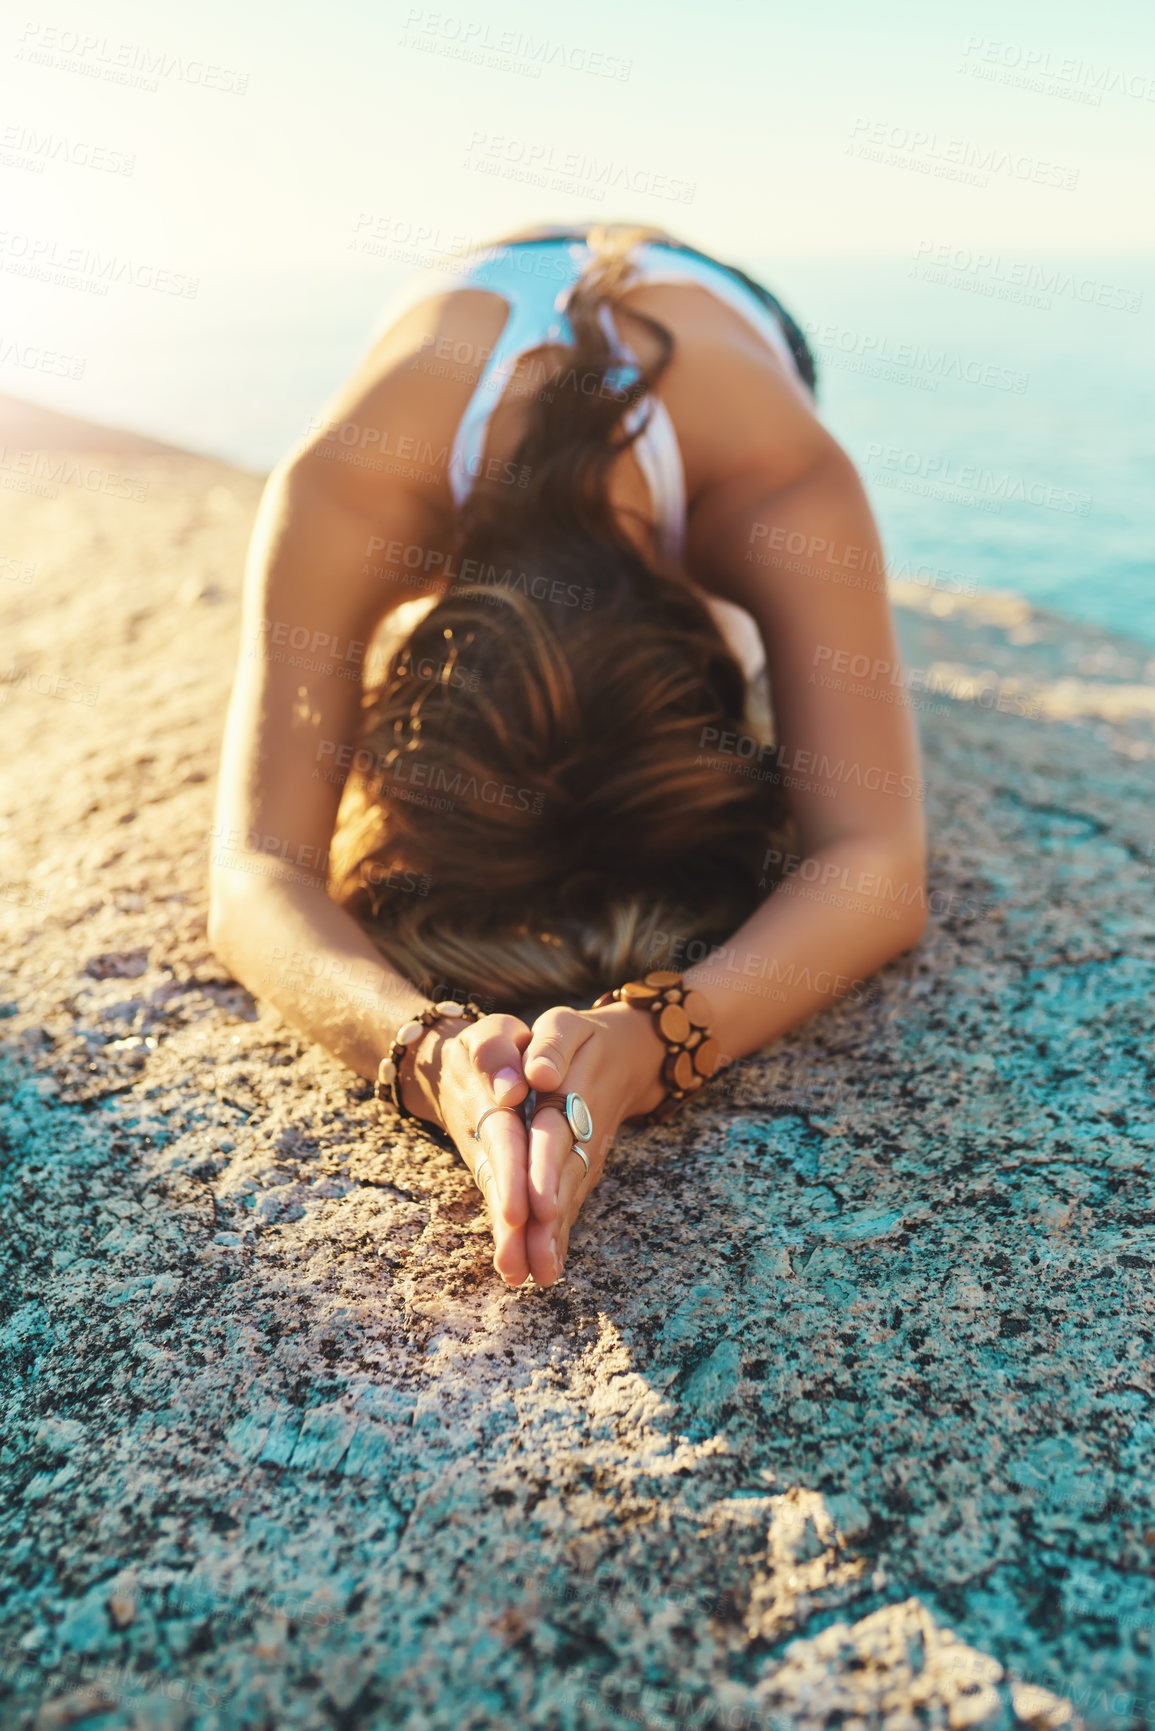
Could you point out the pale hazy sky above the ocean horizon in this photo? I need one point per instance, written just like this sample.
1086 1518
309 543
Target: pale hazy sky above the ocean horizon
325 139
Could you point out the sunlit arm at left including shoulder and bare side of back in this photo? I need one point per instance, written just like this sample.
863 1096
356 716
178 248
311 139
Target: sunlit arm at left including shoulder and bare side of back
314 591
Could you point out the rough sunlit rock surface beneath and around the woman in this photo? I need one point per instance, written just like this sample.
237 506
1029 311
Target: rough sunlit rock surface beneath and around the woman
842 1415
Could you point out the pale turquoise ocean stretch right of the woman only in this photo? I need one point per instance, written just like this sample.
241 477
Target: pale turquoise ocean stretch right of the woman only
1003 415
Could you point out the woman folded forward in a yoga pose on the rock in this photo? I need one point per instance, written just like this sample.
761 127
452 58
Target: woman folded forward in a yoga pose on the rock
579 506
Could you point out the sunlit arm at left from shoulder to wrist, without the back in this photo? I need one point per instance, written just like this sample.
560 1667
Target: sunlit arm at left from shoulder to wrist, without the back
309 612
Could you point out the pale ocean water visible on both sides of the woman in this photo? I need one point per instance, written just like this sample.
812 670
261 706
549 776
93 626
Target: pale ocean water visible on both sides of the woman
1000 408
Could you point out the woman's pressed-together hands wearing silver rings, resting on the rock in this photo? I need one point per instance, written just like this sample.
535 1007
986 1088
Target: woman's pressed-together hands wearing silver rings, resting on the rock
534 1185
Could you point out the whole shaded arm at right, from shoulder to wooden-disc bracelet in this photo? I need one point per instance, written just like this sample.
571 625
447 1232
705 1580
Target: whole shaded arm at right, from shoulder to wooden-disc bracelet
806 562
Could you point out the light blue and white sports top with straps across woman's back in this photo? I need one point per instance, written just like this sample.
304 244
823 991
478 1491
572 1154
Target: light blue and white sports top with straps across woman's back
536 280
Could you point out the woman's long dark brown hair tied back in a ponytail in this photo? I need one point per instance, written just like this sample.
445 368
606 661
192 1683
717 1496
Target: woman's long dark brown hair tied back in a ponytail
532 811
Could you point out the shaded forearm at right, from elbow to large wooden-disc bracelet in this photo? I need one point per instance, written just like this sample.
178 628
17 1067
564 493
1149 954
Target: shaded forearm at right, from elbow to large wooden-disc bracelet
837 918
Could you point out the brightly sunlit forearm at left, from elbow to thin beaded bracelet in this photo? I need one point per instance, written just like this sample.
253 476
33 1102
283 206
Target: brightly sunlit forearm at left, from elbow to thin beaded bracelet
297 949
